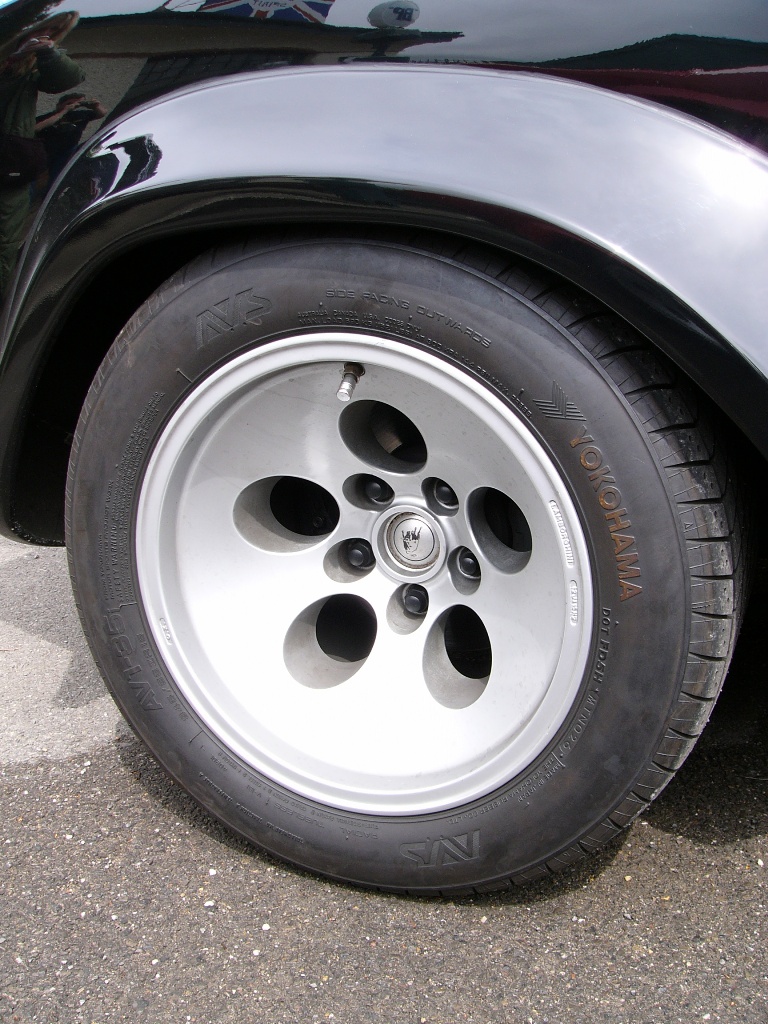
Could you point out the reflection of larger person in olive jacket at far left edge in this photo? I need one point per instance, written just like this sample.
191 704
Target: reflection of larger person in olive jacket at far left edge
36 65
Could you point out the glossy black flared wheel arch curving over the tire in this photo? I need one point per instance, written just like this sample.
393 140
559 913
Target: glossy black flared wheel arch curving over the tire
629 201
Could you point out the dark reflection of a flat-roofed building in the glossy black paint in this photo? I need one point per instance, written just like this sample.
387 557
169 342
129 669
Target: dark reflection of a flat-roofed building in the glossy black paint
181 50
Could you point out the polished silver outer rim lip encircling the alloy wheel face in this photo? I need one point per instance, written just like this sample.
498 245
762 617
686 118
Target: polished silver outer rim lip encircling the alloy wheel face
224 387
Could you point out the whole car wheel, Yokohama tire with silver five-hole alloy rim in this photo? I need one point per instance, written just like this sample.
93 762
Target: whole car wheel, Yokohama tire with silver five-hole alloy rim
415 570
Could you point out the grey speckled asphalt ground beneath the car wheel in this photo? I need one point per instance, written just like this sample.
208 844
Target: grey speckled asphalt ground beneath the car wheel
121 902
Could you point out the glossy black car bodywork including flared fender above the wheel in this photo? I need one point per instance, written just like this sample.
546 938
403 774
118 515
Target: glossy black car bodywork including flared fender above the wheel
185 122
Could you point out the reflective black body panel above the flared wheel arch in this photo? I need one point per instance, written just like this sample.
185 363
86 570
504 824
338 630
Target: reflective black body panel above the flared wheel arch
708 61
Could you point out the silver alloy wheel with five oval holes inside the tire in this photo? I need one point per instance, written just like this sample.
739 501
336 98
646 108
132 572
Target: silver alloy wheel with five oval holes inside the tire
382 605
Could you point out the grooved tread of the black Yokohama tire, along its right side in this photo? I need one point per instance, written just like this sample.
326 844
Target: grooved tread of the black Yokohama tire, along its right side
703 485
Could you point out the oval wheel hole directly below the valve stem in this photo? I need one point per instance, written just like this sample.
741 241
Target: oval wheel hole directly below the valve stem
383 437
